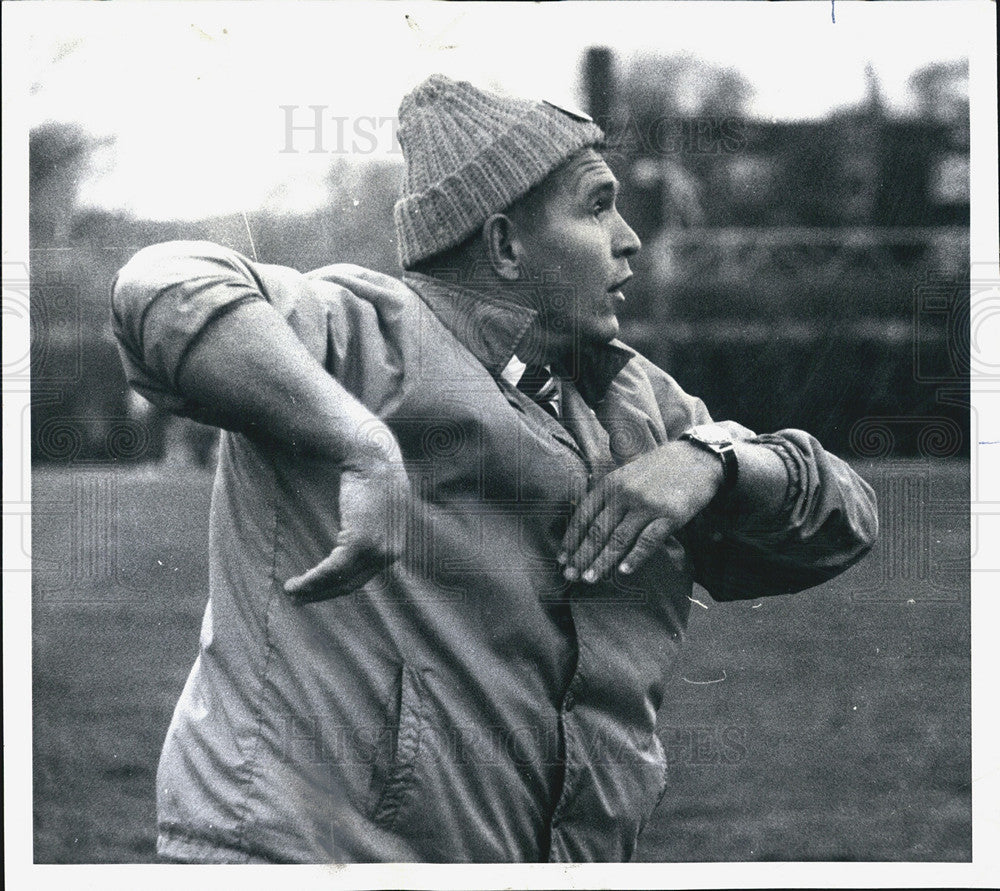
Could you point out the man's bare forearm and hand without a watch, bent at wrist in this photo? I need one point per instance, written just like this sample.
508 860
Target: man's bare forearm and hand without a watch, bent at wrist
249 372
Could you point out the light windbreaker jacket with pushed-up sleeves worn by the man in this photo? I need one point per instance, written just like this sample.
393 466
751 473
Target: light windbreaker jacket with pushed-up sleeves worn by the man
468 704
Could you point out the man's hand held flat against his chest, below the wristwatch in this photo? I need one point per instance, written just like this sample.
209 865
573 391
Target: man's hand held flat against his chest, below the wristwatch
636 507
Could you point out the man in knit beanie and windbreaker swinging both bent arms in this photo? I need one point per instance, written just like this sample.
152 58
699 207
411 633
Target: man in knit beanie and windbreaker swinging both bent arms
455 523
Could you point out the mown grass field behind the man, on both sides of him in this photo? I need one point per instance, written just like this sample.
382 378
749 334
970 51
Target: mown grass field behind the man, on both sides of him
832 725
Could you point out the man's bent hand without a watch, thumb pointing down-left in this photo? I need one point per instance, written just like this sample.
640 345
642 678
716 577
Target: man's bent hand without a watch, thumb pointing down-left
374 512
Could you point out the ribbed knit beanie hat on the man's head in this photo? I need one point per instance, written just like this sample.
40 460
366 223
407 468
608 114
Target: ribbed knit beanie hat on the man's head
469 154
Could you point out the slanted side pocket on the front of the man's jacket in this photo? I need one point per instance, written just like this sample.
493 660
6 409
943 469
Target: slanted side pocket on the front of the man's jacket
394 779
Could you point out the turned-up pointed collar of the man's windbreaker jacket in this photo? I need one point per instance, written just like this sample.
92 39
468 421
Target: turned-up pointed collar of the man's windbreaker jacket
492 329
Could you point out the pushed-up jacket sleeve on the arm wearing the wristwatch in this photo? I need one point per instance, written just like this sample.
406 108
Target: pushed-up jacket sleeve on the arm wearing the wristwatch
827 523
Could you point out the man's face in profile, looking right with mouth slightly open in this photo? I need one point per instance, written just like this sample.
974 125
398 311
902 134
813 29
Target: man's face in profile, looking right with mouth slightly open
575 247
